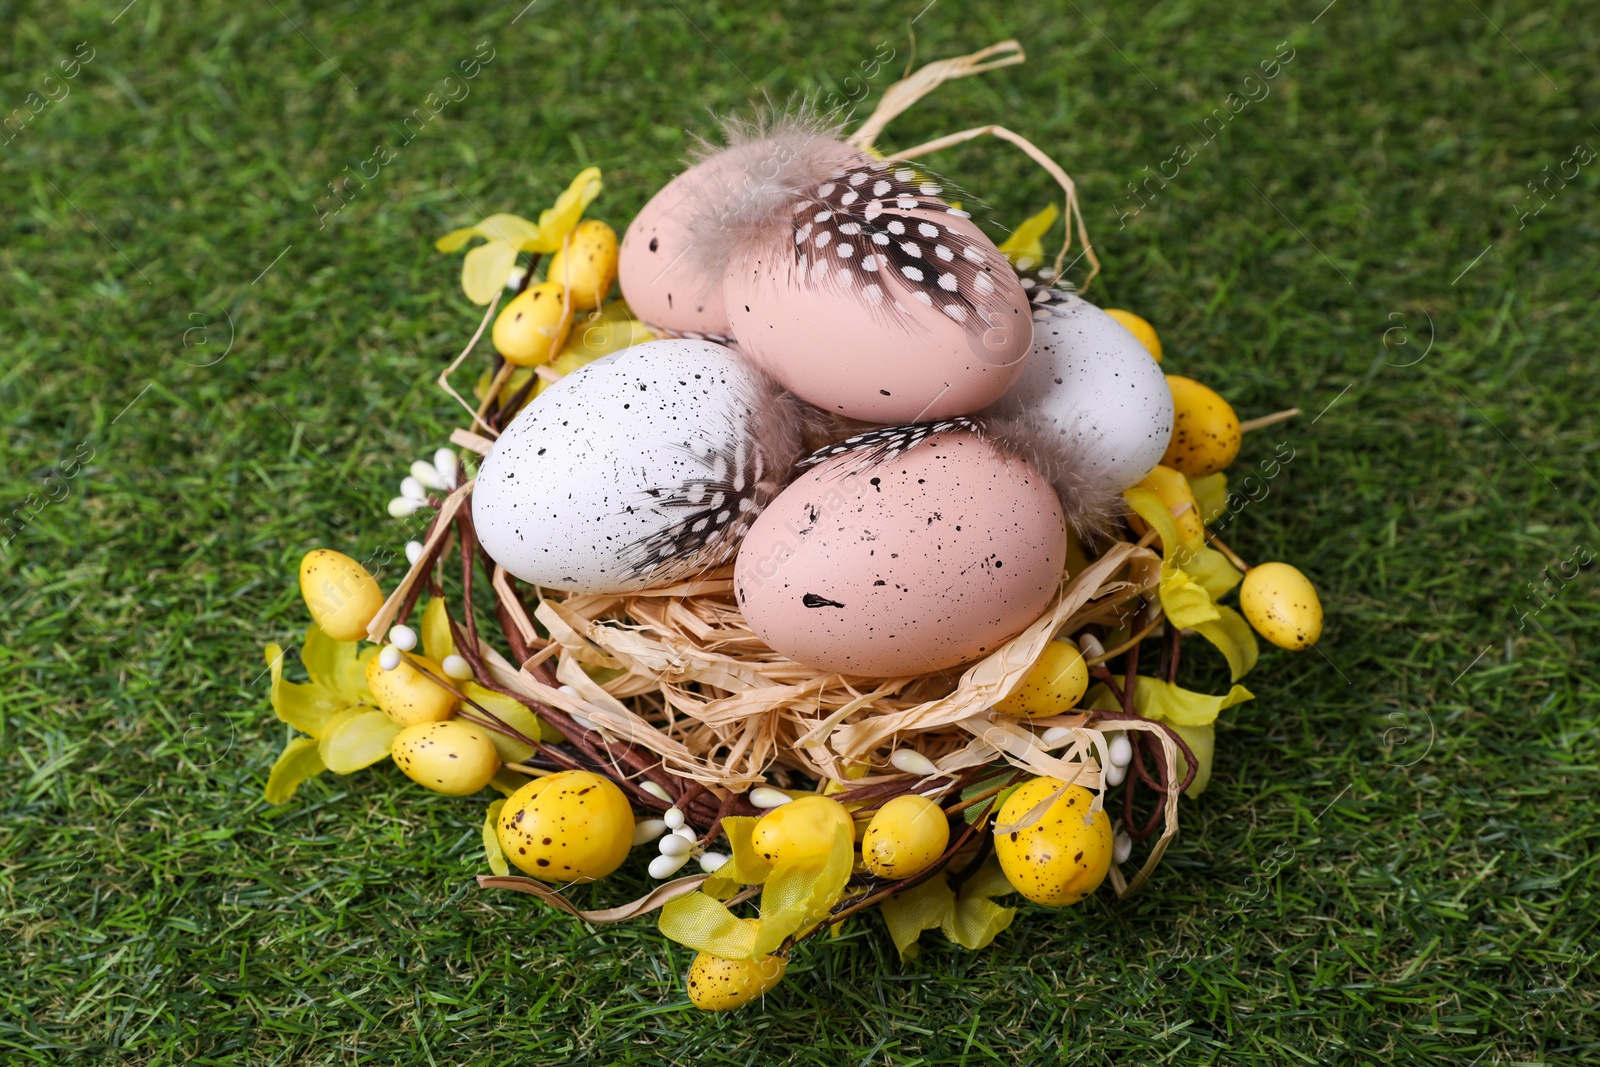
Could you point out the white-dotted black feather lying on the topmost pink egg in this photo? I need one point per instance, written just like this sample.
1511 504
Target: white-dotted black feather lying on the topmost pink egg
878 231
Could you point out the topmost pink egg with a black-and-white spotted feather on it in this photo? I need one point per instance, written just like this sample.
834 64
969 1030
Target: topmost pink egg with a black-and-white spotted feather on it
882 303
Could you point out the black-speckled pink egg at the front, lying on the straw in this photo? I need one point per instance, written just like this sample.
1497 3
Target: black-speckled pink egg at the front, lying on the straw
910 565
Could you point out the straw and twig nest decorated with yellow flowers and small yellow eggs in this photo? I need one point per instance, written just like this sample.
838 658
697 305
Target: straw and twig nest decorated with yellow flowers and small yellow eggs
706 732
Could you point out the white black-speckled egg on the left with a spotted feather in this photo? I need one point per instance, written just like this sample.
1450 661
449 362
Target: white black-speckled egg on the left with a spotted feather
634 471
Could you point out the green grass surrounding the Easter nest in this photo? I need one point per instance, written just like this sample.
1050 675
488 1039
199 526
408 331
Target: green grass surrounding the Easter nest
209 372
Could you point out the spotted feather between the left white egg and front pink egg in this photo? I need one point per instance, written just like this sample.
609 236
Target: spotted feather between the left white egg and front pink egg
743 471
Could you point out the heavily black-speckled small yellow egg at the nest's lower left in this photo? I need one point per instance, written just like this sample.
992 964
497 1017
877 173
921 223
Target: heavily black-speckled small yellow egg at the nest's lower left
574 826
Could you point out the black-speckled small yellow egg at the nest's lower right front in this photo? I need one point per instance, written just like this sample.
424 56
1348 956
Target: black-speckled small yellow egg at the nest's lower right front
1065 855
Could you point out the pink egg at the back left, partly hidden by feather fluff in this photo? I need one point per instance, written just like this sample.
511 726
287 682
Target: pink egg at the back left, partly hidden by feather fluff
658 276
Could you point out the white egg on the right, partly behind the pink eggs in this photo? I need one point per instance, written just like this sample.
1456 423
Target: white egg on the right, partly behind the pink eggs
1097 390
